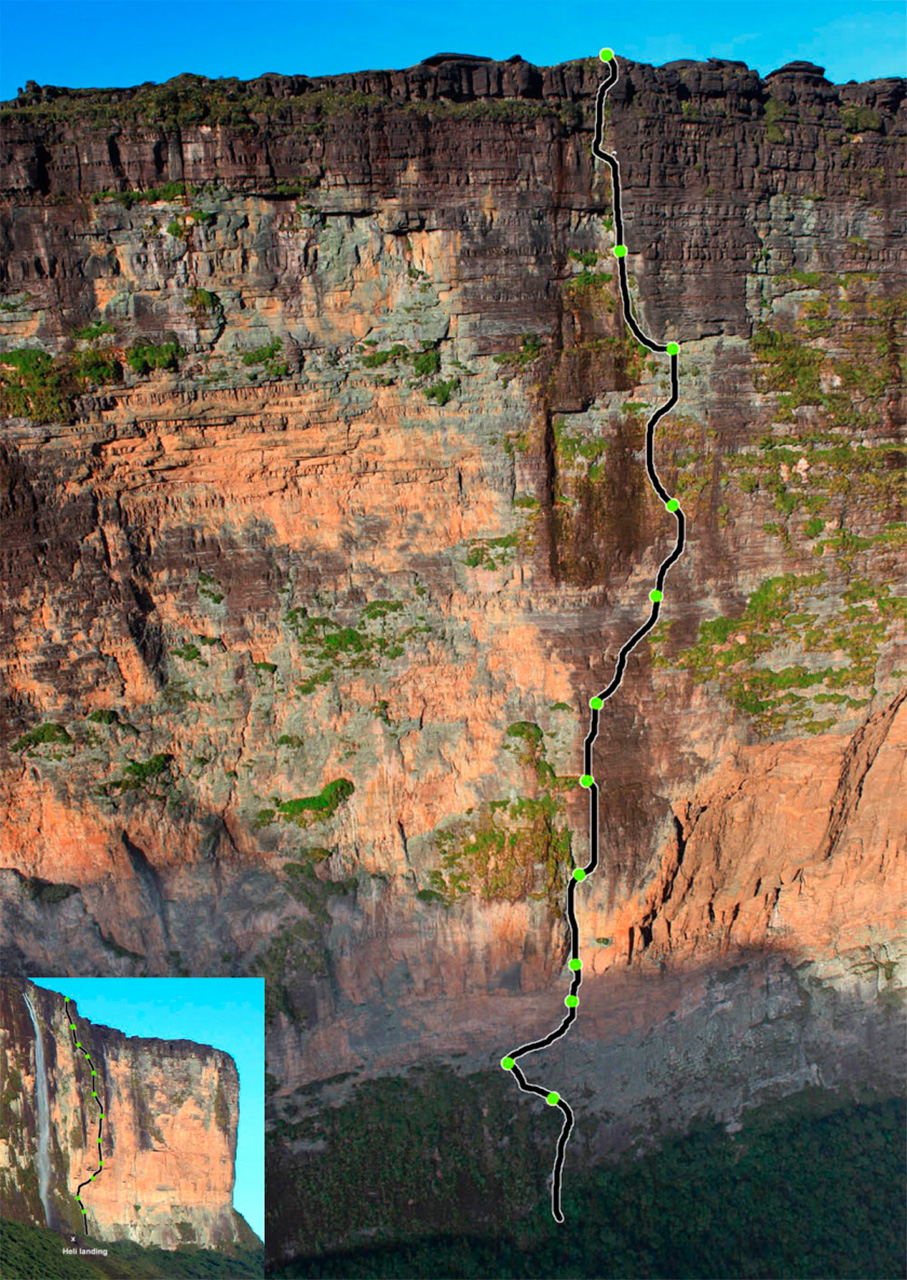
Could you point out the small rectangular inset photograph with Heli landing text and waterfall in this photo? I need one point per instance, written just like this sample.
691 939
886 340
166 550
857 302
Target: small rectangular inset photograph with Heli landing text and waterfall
132 1127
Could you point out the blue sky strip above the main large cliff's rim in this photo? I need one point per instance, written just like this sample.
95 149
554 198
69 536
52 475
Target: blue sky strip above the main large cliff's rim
99 43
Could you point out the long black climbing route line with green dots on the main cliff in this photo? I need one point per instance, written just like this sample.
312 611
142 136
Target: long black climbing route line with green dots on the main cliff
598 701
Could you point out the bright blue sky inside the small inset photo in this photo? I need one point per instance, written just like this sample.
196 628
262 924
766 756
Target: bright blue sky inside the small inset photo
227 1013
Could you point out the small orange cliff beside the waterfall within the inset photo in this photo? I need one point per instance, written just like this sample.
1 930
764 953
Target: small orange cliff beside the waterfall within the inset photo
170 1139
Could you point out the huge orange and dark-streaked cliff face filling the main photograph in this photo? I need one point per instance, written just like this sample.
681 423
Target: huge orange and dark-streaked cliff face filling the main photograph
319 545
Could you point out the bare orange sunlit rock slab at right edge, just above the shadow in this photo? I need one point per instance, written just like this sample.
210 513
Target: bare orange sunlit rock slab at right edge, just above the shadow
787 847
